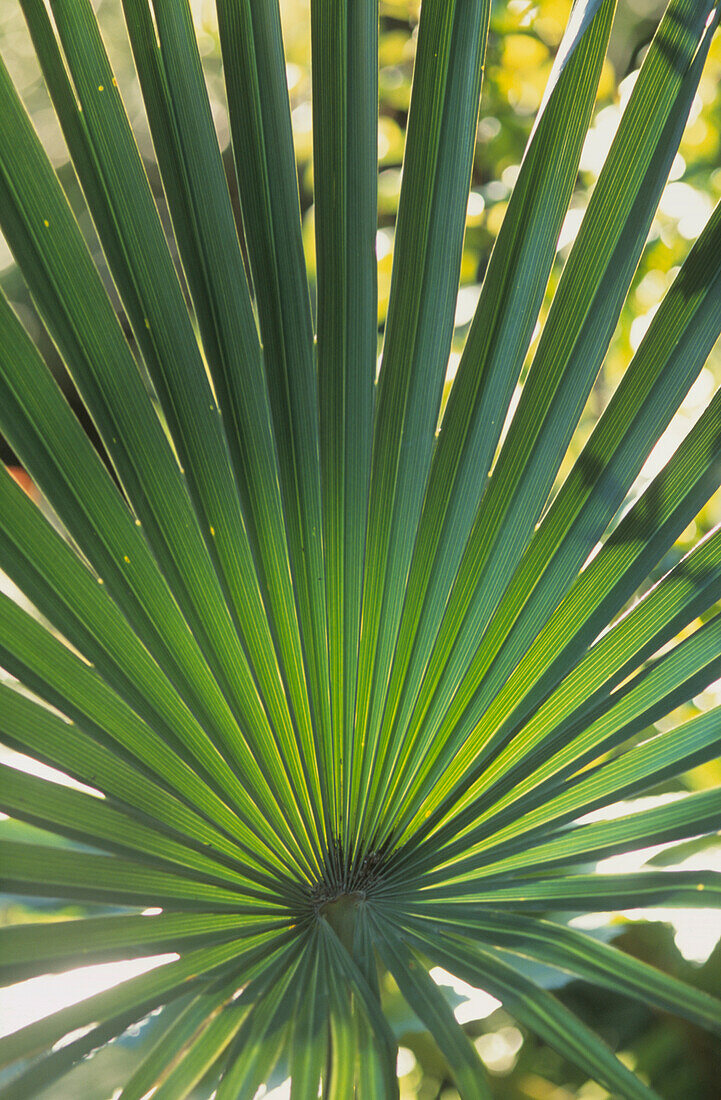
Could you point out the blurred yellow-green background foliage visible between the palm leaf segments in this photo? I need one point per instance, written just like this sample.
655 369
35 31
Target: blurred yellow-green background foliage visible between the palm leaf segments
679 1060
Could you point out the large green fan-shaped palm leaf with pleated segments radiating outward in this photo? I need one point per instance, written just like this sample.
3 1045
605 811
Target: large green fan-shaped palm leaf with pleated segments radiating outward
340 686
